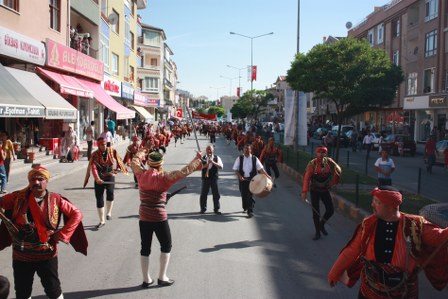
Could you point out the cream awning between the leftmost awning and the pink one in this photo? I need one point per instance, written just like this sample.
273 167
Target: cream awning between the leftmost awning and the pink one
56 107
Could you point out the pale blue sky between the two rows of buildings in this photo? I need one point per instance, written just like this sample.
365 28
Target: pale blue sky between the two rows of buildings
198 33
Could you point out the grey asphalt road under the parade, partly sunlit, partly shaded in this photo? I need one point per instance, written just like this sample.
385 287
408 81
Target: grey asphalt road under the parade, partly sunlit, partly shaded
213 256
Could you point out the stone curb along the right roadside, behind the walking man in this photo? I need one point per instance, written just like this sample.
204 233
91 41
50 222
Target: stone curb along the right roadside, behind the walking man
342 205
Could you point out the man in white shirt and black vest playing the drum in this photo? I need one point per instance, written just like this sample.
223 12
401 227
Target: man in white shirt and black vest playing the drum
246 167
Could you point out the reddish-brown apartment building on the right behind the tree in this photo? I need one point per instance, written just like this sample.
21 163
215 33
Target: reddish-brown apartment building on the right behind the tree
413 33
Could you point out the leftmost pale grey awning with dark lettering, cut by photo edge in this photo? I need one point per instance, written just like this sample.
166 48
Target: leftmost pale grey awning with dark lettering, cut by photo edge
15 100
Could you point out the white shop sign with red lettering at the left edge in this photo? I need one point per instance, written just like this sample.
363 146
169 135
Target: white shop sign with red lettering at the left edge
18 46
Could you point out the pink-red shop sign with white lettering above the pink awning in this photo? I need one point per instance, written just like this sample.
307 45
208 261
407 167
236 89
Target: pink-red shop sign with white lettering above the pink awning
70 60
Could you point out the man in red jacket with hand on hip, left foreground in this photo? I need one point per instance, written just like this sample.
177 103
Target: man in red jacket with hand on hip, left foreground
32 221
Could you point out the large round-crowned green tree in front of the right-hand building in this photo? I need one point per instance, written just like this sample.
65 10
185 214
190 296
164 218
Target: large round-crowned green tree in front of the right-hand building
349 73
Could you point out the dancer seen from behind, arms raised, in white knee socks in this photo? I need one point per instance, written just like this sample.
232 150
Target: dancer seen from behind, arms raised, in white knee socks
153 184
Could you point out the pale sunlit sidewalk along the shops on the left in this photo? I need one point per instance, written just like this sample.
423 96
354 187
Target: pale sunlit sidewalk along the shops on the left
19 169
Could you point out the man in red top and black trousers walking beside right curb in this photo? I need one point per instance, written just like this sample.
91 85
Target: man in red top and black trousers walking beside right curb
321 174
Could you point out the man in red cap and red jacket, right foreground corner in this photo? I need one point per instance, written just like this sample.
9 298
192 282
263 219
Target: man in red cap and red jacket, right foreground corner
389 249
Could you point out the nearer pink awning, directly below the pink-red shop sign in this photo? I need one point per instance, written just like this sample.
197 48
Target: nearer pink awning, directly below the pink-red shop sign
67 84
